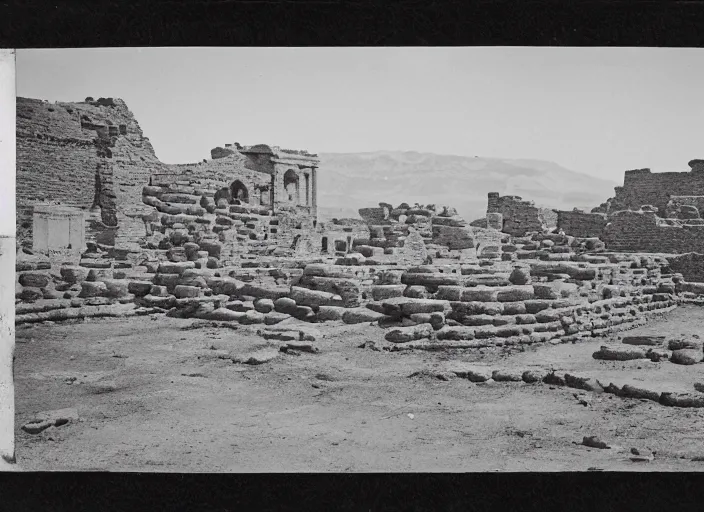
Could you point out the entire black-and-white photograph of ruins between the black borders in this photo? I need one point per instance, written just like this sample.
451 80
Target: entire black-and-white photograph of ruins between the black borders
354 259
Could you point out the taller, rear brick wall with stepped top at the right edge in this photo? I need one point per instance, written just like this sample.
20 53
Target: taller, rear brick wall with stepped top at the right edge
643 187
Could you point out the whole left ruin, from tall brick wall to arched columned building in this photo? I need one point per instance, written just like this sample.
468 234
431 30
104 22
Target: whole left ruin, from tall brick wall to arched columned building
88 163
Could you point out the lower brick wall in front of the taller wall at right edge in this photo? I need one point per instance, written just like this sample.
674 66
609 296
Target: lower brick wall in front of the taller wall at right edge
630 231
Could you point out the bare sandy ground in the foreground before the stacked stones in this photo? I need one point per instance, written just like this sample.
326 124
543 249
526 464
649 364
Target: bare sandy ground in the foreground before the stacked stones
153 396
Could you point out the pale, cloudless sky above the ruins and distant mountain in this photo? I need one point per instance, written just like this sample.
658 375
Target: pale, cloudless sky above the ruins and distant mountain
598 111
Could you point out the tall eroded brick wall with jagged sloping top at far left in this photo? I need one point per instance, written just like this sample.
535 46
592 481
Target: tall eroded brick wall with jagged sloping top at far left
60 158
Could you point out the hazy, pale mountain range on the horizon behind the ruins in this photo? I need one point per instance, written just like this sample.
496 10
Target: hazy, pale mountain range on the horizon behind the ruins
349 181
